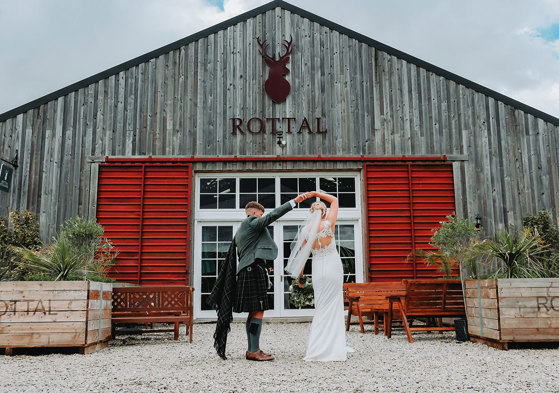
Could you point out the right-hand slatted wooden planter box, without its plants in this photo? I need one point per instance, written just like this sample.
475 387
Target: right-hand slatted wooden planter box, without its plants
512 310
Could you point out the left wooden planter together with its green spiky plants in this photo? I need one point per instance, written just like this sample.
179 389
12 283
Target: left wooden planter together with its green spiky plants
56 305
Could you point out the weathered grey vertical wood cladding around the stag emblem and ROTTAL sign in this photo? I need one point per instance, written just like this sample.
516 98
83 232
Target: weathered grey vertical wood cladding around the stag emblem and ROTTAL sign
371 102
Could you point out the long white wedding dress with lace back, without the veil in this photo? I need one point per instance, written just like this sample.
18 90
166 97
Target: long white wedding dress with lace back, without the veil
327 336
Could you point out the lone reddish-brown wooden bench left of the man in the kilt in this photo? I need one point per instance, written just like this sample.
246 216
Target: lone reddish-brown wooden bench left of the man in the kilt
149 305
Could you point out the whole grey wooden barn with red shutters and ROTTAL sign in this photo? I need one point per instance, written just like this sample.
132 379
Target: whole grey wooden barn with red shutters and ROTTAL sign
165 150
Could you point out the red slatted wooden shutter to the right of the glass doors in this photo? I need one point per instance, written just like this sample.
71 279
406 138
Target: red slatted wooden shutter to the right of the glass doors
405 202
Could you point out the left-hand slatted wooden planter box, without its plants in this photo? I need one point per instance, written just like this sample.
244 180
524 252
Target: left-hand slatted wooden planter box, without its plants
55 314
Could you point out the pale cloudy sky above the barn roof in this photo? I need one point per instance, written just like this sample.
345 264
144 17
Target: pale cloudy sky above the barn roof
510 46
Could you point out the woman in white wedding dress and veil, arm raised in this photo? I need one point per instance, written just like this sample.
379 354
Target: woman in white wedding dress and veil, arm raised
327 337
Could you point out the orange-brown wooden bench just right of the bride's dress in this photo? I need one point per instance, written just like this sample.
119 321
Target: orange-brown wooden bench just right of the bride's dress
369 299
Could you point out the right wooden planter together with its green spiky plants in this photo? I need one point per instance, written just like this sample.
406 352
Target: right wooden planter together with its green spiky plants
516 301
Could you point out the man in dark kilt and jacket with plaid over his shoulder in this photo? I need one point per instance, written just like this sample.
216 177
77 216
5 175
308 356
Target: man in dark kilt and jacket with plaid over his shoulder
244 287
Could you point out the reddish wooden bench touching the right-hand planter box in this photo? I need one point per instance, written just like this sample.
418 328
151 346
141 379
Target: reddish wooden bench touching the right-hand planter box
427 299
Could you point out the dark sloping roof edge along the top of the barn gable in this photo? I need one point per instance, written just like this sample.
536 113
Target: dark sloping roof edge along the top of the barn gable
305 14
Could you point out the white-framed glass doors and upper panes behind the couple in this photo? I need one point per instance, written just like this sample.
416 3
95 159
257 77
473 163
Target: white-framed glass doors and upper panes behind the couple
219 210
